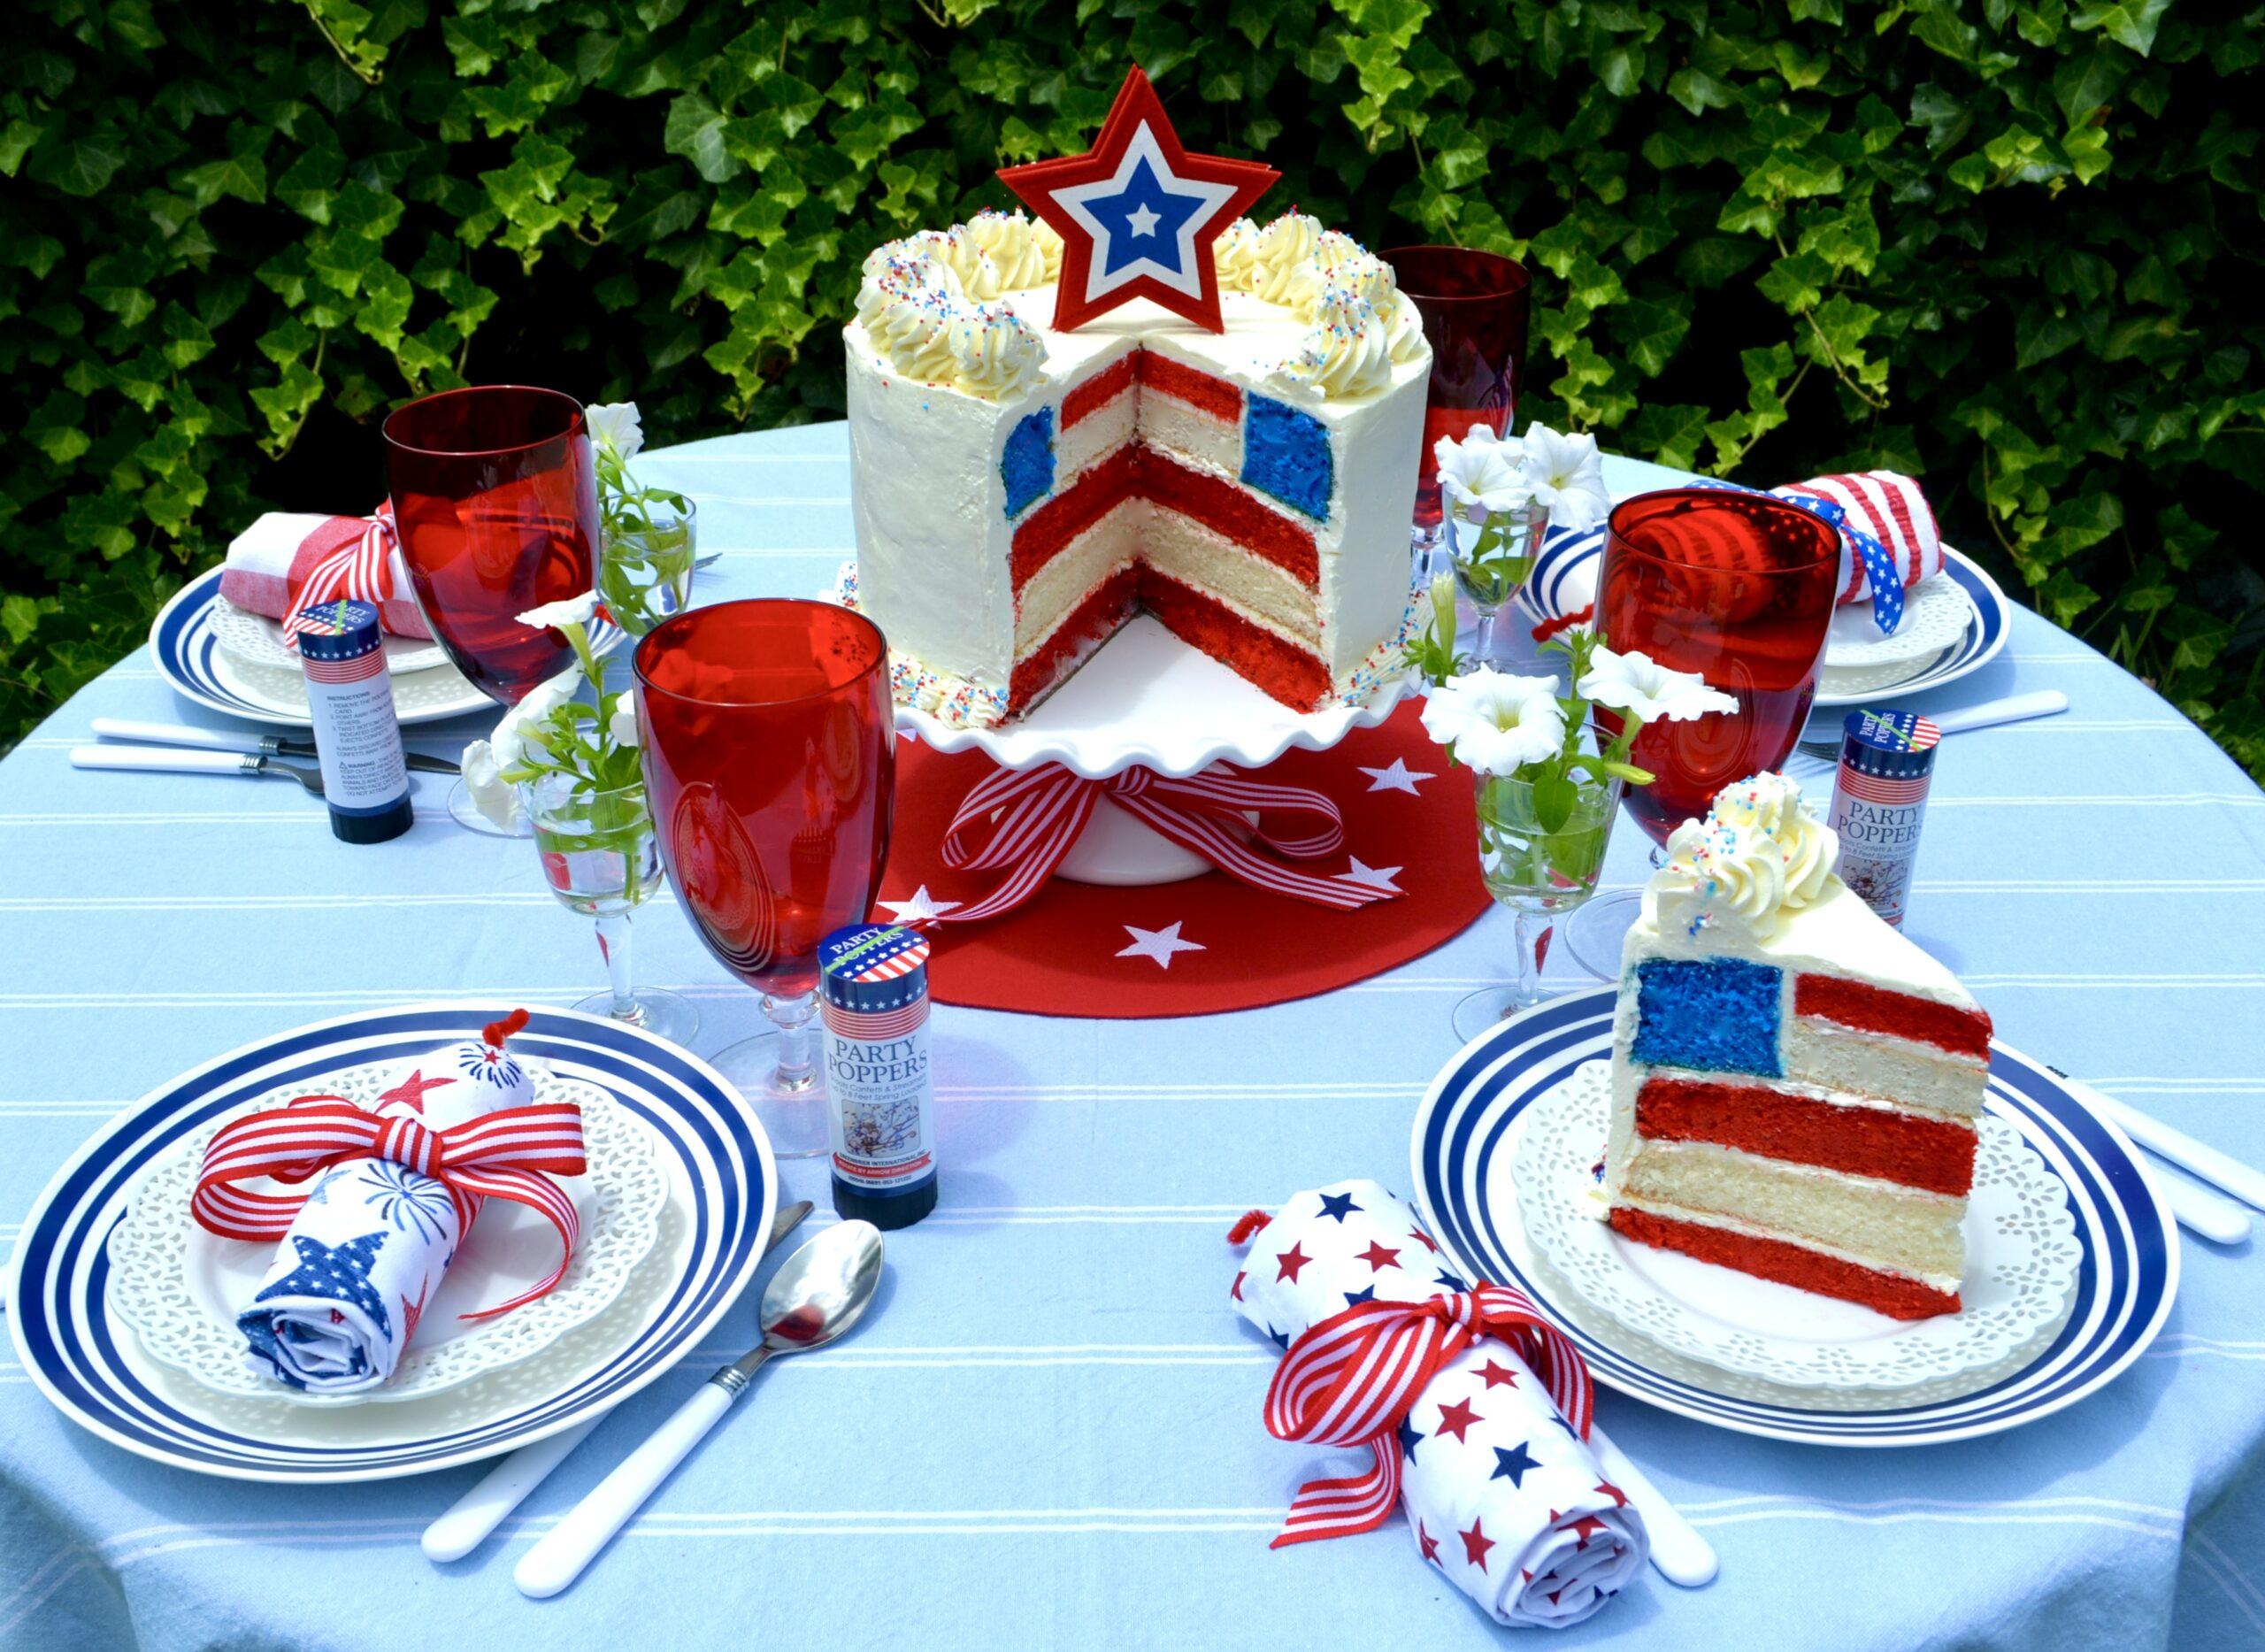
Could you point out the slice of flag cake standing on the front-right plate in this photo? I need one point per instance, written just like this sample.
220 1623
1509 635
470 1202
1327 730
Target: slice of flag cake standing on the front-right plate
1795 1084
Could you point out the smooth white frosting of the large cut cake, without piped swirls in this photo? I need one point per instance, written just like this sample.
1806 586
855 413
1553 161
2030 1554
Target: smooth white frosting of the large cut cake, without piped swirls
930 497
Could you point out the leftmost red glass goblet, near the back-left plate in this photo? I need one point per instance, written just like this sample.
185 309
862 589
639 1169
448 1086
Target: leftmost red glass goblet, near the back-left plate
497 506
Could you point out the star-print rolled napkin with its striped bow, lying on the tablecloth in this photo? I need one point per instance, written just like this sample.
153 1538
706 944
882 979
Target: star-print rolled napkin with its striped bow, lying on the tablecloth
1476 1408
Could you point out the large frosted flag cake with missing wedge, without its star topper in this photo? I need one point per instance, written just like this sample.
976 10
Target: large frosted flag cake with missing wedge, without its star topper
1023 493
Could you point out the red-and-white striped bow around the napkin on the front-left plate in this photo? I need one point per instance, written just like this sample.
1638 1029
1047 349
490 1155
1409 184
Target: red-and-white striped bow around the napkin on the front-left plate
511 1155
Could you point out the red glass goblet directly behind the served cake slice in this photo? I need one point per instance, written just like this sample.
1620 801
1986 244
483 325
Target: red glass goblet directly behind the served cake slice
1741 590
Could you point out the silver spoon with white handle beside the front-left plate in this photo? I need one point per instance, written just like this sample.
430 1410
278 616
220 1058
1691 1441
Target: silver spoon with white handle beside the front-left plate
817 1295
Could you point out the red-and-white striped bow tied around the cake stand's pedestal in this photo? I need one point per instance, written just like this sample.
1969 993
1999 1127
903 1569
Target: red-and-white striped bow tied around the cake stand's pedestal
1025 821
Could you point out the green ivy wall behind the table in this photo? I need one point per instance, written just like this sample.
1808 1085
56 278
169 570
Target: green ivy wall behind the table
2012 248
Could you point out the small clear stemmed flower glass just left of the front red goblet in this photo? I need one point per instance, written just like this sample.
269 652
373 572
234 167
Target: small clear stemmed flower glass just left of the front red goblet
601 860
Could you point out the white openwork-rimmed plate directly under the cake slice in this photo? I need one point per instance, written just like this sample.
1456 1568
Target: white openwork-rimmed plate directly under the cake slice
2022 1266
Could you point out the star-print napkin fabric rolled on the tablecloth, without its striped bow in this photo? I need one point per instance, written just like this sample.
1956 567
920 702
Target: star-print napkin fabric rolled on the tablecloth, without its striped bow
1498 1488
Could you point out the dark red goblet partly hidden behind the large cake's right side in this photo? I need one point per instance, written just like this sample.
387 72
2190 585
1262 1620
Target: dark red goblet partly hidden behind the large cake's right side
1473 309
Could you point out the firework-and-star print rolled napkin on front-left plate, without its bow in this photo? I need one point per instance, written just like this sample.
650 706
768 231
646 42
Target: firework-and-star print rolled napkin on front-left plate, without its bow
364 1257
